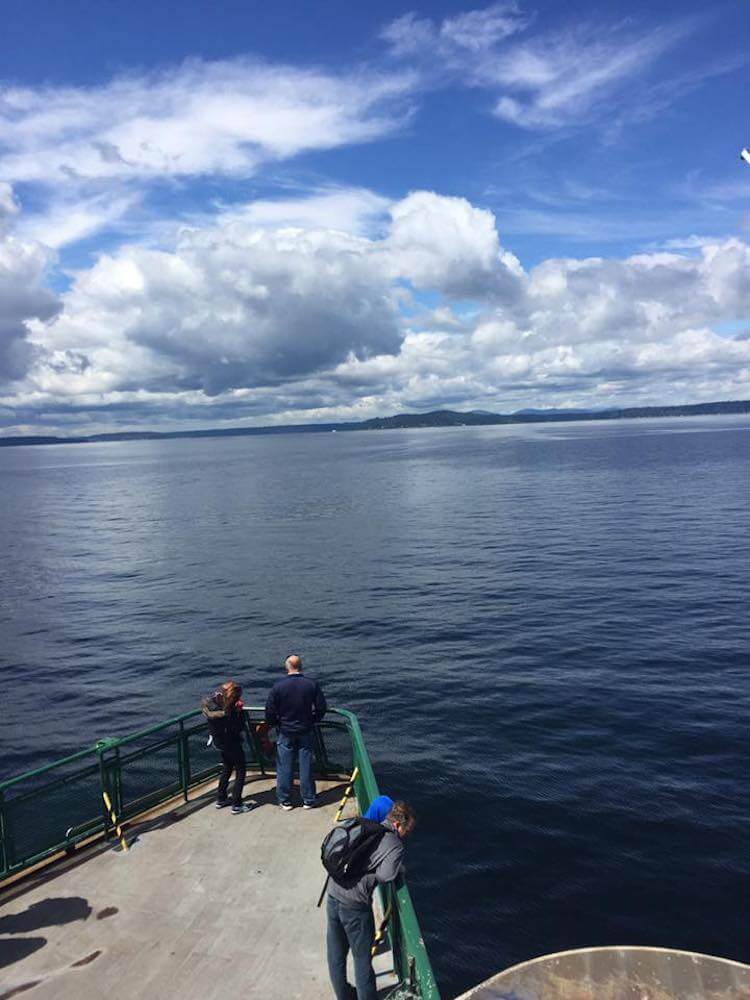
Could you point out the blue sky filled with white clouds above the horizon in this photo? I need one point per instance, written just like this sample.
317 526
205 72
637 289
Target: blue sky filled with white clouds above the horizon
242 214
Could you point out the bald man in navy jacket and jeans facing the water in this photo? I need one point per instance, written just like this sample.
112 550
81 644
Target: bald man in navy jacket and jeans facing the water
295 704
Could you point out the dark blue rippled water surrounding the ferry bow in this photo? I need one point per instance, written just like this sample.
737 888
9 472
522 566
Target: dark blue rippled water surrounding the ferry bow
544 630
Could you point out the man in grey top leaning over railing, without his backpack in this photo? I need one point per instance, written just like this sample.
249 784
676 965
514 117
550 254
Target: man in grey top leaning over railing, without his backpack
350 923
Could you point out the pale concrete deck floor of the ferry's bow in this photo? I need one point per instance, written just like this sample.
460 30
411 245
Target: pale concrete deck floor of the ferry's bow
204 905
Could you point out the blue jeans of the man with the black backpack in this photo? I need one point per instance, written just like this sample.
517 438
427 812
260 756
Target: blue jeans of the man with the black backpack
355 929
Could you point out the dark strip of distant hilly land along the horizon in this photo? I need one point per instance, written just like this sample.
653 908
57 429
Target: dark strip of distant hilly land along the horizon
435 418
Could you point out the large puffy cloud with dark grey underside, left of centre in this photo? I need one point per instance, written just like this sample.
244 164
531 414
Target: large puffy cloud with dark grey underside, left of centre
231 307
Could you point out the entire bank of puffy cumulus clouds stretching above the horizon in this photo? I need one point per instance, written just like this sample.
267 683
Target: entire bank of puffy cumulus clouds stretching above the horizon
263 323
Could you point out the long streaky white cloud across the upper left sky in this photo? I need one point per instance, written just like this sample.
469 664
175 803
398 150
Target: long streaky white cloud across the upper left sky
220 118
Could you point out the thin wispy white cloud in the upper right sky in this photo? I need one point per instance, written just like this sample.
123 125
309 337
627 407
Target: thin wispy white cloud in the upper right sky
558 78
